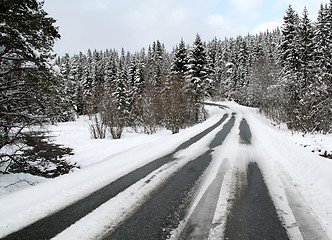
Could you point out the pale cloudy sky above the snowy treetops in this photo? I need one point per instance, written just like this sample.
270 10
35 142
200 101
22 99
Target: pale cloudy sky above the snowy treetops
134 24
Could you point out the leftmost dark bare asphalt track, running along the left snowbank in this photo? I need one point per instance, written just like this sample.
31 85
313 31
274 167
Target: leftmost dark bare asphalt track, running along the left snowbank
55 223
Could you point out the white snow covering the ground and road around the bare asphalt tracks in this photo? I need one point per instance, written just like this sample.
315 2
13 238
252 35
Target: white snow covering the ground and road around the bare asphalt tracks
25 198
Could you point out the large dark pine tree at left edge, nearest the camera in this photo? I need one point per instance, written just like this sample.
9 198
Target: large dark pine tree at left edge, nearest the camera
27 82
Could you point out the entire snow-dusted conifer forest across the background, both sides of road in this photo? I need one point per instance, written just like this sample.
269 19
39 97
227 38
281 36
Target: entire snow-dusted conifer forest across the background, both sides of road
286 73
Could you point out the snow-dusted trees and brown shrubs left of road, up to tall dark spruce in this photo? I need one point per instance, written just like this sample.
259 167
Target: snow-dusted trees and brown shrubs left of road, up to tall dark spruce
144 90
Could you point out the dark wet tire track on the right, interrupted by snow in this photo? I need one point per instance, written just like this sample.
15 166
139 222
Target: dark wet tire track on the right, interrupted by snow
253 214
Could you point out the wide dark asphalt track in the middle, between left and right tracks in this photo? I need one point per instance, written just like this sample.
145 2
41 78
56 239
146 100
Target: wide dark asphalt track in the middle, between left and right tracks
167 207
